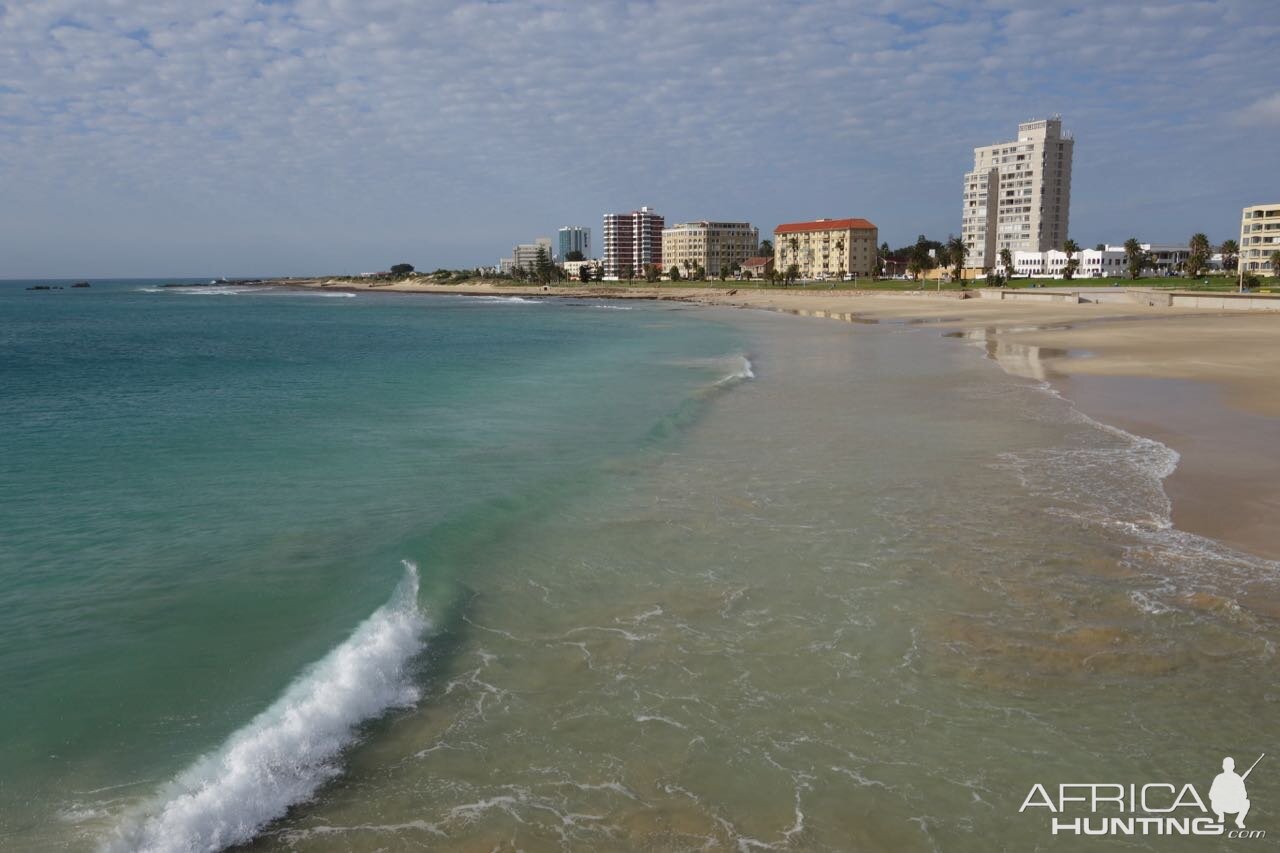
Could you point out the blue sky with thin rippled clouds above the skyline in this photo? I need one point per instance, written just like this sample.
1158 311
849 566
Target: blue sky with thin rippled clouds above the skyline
254 138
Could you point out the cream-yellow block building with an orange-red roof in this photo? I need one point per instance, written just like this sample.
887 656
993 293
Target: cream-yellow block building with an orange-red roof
826 248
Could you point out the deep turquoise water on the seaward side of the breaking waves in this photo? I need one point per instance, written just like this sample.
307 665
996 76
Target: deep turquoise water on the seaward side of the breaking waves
205 491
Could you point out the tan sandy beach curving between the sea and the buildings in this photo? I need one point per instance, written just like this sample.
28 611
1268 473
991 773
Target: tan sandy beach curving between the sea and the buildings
1195 380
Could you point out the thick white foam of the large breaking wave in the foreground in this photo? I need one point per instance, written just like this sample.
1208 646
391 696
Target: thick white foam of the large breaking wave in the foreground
287 752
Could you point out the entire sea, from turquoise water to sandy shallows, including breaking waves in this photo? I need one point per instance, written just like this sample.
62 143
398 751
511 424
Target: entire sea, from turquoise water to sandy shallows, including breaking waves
299 571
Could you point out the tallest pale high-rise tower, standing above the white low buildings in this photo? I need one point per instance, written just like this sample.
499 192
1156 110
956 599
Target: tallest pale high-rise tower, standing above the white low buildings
1020 194
